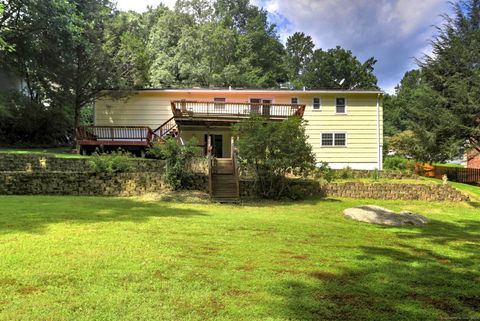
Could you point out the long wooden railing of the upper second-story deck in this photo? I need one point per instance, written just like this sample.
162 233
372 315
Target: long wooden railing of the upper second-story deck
215 109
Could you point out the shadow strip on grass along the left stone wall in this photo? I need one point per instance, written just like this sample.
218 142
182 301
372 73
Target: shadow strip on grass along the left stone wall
34 213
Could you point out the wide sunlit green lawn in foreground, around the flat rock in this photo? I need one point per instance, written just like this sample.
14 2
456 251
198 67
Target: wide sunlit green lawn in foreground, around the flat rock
87 258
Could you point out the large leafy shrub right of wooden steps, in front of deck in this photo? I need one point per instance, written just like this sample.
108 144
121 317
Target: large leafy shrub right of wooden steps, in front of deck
273 150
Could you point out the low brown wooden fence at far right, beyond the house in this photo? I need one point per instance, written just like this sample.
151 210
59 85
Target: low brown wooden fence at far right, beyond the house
454 174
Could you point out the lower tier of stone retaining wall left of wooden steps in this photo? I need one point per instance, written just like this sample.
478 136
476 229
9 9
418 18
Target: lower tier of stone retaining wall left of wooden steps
77 183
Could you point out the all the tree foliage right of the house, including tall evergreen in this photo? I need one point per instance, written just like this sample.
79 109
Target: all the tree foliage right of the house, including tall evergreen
440 102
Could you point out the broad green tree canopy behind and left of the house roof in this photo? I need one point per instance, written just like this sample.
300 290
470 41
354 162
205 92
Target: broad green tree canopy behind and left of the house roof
68 52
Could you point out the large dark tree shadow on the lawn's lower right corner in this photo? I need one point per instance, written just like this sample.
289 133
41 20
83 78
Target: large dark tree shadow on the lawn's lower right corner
431 273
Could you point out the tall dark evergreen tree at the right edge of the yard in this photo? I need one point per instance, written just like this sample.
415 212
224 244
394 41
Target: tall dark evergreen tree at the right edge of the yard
453 75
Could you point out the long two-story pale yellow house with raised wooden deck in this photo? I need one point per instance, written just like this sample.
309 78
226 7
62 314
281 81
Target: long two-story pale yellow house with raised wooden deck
345 128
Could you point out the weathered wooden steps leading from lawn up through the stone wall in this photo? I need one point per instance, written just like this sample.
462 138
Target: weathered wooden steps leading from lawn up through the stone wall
224 181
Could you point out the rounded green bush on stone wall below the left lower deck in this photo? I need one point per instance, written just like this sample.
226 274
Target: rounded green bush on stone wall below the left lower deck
112 162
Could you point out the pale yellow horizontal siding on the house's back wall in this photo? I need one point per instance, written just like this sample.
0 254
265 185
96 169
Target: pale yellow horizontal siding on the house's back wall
360 122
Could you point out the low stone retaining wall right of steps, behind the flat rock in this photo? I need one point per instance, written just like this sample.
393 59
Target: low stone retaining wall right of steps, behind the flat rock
384 191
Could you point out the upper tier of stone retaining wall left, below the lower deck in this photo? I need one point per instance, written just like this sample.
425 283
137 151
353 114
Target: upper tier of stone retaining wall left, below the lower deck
45 163
